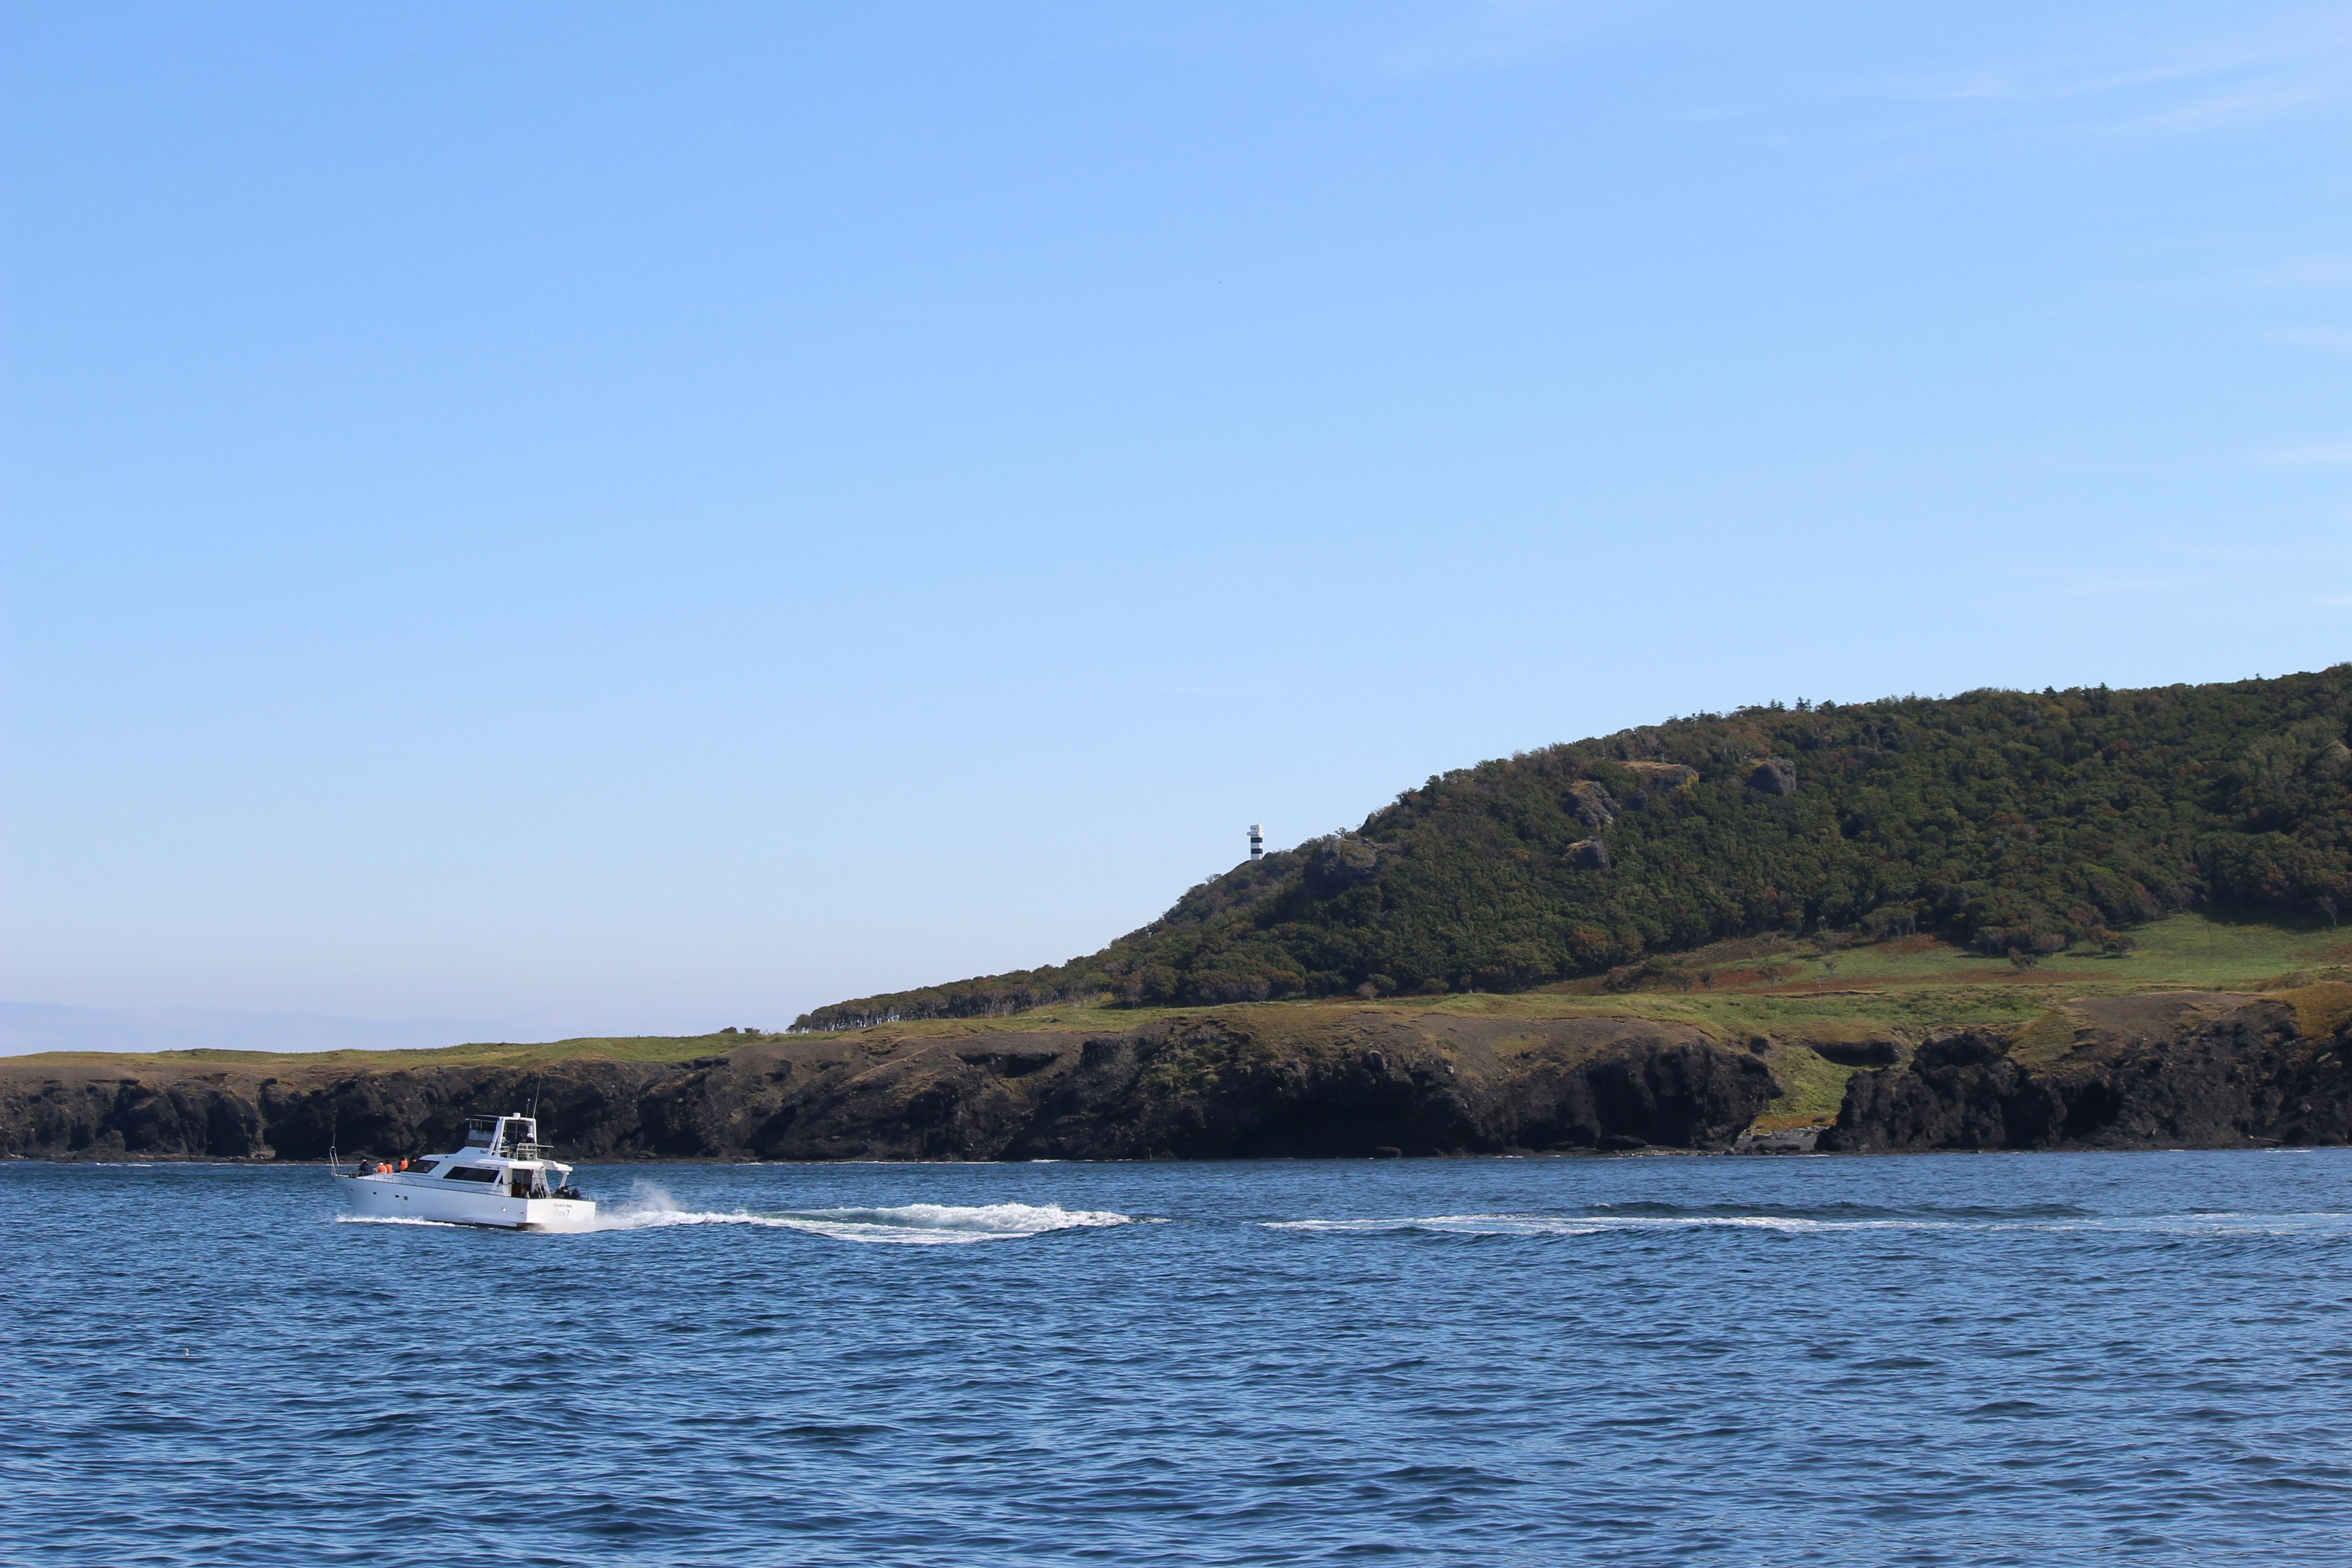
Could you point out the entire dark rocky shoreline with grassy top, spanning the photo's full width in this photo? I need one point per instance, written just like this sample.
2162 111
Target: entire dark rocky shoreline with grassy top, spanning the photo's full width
2153 1071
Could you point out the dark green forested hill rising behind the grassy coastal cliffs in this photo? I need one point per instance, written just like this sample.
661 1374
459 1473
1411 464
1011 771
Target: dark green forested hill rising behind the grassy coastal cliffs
2012 819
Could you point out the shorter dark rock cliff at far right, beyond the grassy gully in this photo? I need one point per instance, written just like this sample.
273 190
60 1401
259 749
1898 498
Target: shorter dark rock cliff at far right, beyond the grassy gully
2181 1071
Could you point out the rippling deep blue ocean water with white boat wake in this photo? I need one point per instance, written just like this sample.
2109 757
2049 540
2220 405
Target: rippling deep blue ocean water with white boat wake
1923 1360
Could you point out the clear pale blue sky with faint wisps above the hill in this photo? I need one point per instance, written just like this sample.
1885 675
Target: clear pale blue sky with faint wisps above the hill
643 518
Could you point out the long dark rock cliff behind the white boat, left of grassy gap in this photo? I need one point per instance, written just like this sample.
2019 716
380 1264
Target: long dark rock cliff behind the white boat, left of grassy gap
1205 1087
